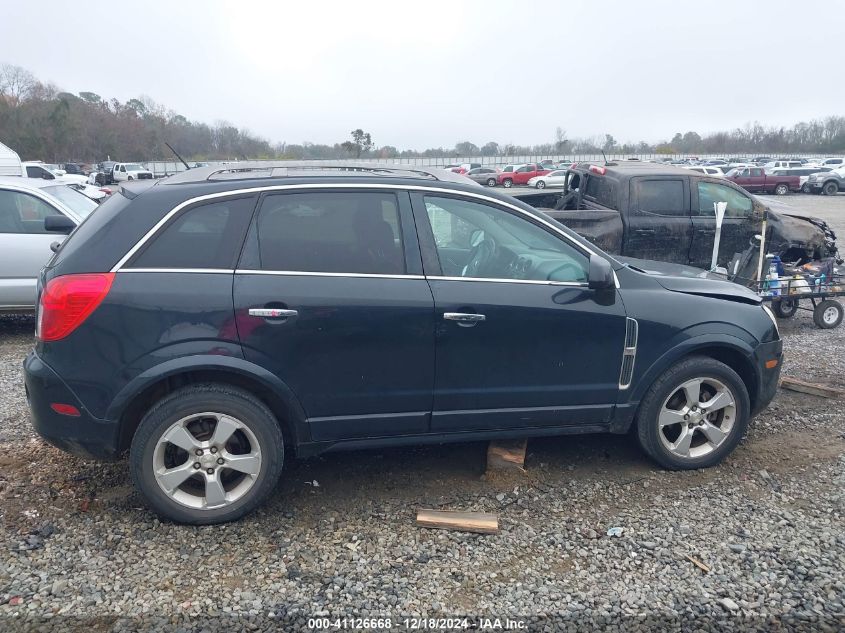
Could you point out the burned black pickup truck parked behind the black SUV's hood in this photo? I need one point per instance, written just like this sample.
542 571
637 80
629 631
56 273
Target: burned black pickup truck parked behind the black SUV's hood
666 213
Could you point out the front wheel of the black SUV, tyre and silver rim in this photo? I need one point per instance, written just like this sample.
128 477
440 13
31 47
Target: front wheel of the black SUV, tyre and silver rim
694 415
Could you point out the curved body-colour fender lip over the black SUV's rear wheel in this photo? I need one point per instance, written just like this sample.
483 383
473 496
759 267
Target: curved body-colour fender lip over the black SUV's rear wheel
211 363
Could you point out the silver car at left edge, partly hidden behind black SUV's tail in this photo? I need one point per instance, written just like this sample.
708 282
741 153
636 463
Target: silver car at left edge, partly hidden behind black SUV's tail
25 204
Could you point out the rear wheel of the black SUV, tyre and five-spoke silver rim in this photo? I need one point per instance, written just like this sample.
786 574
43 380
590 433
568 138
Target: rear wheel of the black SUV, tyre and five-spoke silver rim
207 453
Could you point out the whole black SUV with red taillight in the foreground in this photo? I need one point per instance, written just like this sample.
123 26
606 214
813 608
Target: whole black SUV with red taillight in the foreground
206 322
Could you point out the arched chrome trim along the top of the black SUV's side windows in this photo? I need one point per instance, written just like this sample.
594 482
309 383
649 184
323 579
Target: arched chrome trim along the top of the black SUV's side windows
236 192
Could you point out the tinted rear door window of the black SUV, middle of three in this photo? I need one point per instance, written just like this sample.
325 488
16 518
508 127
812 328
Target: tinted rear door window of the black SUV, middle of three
331 233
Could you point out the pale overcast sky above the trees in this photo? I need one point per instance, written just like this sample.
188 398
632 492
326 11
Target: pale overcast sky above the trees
428 73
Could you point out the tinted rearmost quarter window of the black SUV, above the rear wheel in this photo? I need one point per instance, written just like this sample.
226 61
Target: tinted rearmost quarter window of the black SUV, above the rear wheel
206 236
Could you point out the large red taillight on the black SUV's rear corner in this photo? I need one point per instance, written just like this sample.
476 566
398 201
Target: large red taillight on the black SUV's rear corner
67 301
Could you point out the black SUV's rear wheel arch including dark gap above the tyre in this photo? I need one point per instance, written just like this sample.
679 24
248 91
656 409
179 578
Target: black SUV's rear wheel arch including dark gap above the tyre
134 400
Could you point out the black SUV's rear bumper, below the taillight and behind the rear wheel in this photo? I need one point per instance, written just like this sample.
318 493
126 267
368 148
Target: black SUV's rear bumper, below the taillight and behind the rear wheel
82 435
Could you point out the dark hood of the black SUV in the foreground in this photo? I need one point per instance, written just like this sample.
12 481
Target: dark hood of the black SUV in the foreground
692 281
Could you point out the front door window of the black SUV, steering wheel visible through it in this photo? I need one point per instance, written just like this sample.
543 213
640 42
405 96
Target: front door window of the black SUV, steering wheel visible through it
525 251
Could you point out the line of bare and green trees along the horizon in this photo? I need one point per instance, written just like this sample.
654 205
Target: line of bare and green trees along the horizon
41 121
